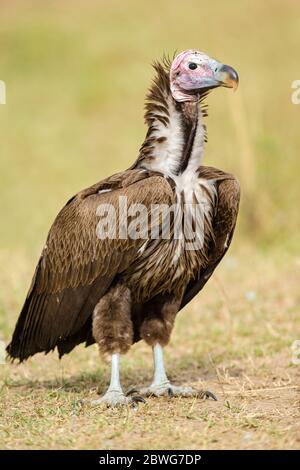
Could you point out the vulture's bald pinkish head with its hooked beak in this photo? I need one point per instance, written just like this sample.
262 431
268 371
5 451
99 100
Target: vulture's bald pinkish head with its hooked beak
192 72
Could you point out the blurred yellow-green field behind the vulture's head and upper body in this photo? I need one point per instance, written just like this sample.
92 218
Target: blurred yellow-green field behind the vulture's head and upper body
76 74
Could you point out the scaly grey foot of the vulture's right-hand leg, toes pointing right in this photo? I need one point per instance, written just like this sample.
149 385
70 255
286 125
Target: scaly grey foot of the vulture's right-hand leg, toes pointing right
167 389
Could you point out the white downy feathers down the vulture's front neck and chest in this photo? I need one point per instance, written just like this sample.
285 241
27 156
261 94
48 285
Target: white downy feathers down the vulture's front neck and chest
194 196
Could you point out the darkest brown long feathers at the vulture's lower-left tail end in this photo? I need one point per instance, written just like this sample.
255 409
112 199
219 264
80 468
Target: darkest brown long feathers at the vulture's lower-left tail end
60 319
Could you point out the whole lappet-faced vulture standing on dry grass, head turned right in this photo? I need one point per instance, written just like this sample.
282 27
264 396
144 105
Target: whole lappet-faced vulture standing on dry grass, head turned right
124 256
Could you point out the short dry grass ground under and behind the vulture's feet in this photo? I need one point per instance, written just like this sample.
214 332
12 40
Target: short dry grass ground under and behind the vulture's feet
237 344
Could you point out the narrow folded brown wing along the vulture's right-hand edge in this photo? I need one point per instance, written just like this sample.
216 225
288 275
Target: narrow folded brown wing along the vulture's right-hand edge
228 190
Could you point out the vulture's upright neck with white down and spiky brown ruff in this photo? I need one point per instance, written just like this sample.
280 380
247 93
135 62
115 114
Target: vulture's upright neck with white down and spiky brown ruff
176 134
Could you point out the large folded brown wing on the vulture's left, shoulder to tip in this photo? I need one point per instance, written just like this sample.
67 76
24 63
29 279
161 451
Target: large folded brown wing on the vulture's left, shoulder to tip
76 268
